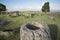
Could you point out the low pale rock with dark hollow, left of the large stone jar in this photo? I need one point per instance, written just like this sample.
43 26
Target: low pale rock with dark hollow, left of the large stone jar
8 32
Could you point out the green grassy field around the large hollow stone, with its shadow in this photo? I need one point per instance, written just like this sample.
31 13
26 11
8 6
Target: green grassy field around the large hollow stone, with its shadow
16 22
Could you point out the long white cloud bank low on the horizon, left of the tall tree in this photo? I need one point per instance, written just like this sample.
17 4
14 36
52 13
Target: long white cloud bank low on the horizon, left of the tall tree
21 8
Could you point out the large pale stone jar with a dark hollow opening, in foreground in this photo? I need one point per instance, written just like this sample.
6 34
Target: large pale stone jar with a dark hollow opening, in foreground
34 31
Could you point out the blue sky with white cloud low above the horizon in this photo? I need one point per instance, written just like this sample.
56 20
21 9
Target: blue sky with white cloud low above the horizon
32 5
